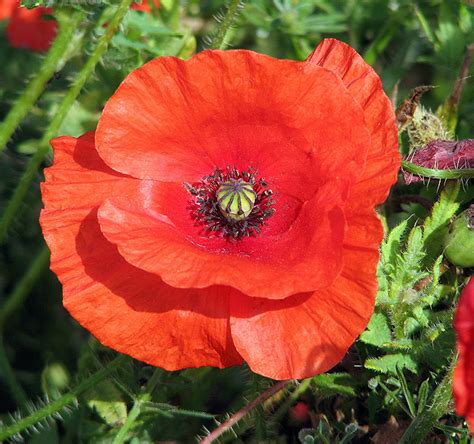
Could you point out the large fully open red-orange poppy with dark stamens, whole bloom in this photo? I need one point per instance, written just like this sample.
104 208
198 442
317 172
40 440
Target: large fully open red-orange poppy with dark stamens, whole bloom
224 210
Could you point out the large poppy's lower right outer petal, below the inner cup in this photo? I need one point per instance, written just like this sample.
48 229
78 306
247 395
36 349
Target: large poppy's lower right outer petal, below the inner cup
309 333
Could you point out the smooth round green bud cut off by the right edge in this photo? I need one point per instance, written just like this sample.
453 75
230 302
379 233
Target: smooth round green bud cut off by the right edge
459 242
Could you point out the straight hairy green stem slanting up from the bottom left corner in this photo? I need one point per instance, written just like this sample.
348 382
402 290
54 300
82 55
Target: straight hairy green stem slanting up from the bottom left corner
60 403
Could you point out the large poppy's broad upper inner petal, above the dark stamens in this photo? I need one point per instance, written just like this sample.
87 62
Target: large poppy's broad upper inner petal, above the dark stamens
175 120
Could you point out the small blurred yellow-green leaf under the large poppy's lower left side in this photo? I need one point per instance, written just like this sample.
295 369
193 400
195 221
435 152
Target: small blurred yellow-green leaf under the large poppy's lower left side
108 402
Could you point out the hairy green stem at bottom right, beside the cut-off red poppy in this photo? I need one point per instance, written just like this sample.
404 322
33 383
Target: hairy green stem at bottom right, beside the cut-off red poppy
440 406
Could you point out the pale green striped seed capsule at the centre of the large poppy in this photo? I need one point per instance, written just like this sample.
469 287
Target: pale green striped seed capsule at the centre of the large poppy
236 199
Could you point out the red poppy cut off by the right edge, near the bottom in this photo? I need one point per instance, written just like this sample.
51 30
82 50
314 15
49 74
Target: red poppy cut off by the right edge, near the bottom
463 385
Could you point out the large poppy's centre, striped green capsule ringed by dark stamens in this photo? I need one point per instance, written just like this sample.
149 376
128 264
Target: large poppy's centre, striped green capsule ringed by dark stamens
231 203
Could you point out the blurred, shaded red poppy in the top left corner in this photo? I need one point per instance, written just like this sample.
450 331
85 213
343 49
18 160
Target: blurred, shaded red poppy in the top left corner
31 28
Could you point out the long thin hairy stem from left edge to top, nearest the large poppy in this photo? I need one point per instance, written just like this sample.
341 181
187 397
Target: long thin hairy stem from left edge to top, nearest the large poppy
71 96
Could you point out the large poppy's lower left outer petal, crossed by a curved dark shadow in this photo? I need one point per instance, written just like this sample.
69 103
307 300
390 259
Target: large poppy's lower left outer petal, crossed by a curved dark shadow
127 309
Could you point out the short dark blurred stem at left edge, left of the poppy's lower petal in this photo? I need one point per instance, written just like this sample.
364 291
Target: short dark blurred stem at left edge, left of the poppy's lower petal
22 289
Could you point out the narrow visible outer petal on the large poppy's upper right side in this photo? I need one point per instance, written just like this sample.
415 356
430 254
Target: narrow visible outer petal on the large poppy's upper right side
383 157
